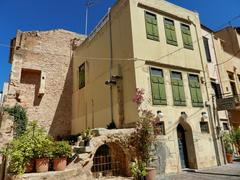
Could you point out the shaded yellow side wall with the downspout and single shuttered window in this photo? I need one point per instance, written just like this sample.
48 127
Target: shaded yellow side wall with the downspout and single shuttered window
91 104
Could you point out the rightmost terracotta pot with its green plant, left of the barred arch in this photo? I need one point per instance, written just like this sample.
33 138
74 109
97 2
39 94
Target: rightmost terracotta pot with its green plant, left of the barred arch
61 151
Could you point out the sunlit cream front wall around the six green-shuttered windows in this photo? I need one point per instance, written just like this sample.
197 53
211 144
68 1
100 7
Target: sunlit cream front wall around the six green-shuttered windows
183 60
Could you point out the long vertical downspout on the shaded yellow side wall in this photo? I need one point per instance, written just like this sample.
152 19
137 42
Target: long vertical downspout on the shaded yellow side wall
110 65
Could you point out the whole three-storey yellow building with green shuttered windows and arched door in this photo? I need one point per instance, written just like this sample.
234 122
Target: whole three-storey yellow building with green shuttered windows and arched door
152 45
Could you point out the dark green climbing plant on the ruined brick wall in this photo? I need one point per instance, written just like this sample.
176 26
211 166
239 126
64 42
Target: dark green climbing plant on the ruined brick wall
20 118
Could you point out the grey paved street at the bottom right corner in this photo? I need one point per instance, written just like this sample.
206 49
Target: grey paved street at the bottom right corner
226 172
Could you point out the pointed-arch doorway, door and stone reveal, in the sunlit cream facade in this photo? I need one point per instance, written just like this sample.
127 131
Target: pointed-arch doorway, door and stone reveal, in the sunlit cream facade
186 146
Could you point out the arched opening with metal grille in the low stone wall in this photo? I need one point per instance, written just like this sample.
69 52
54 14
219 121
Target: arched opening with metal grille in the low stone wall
110 160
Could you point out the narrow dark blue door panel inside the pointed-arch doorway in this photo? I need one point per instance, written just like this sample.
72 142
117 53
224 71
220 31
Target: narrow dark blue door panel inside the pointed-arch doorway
182 147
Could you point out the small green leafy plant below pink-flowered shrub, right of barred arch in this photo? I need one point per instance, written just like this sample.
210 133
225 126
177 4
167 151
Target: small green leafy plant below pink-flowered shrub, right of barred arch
138 169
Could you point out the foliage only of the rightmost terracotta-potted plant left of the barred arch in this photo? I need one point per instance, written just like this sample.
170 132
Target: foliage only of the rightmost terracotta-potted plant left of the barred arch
61 149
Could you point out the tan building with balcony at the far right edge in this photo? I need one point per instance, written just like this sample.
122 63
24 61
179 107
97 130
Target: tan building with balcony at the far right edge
228 52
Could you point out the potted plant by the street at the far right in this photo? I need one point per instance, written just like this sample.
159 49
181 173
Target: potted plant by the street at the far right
228 139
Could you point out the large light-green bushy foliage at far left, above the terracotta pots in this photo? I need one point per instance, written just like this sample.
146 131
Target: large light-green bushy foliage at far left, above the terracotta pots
33 143
